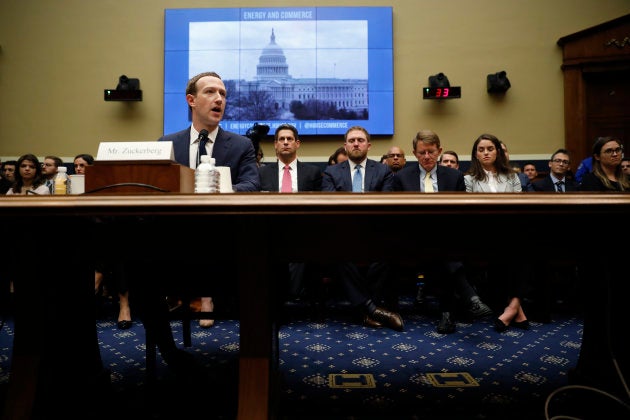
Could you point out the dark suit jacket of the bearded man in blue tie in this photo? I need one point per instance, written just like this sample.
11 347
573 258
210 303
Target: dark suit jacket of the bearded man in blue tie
378 177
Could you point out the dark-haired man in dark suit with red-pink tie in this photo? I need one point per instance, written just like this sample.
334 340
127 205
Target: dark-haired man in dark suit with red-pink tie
300 177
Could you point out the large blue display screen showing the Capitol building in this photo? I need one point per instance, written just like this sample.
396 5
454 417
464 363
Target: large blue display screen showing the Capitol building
322 69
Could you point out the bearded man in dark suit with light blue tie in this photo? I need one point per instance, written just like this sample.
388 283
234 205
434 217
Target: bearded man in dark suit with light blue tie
360 174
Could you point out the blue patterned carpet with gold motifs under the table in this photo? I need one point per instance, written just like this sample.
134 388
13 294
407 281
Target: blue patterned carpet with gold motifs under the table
335 368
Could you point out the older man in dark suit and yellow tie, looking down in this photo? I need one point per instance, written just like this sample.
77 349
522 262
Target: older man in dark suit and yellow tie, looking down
428 177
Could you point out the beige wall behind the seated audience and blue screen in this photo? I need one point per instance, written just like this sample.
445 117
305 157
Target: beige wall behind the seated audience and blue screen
57 56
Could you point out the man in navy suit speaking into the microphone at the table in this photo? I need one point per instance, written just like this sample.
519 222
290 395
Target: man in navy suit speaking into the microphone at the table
206 98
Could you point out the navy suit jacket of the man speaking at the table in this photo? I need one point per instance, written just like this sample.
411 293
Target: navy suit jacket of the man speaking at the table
230 149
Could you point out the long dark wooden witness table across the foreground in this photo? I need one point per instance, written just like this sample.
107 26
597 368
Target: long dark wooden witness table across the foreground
321 227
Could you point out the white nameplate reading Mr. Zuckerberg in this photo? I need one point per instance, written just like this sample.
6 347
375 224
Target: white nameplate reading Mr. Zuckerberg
136 150
